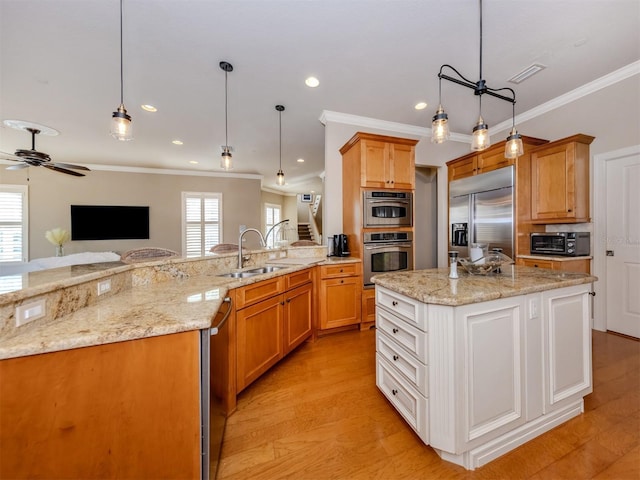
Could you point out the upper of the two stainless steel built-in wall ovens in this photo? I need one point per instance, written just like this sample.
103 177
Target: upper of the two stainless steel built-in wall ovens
387 208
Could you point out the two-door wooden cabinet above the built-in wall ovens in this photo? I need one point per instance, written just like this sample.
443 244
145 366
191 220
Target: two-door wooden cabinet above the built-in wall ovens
381 161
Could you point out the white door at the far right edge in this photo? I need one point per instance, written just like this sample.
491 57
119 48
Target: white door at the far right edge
623 245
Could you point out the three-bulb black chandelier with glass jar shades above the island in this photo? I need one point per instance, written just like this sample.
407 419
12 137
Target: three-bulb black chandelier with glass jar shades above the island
480 134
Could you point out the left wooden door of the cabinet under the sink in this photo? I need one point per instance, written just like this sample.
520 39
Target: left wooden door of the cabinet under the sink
259 339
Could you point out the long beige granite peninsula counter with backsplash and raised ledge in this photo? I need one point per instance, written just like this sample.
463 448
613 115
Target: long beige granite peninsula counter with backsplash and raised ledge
149 299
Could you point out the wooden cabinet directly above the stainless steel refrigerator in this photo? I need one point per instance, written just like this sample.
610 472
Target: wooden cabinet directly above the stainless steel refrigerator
487 160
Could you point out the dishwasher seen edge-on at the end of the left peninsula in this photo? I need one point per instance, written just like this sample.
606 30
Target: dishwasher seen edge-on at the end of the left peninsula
214 371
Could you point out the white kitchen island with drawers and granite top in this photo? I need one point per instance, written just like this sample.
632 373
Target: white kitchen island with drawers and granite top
482 364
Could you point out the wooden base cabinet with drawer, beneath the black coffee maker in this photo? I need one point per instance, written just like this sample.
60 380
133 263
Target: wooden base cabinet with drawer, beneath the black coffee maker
339 295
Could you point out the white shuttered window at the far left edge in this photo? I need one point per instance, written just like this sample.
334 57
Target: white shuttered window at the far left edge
13 223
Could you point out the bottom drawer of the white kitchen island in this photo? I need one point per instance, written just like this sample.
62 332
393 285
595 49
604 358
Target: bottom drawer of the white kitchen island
407 401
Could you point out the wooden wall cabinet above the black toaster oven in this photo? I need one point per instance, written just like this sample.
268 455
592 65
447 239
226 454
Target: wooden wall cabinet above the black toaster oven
560 181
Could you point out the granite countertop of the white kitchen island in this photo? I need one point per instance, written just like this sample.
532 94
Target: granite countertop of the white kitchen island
434 286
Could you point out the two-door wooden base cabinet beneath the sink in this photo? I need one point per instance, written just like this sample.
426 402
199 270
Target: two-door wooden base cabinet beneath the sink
272 318
